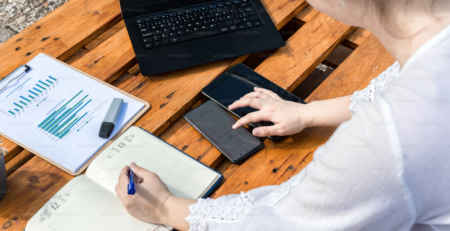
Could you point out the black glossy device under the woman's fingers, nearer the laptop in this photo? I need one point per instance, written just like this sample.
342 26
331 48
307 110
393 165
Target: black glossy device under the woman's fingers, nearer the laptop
239 81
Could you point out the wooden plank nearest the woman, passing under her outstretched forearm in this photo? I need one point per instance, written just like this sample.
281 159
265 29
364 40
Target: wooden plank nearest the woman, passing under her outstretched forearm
278 161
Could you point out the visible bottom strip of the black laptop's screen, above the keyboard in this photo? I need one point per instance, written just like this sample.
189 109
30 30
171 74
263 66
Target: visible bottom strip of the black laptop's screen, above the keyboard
144 7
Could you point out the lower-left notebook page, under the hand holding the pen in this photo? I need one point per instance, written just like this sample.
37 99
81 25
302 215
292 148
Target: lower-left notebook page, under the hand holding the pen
84 205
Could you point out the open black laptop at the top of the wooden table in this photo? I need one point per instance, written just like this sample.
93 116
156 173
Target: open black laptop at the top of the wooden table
169 35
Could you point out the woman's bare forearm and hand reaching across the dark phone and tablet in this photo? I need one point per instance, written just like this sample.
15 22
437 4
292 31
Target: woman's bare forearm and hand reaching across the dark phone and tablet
289 117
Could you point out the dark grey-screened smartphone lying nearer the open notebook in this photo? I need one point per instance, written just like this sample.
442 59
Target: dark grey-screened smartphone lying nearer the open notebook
215 124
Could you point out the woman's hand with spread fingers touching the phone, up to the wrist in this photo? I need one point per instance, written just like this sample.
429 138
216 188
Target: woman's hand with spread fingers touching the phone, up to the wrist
289 117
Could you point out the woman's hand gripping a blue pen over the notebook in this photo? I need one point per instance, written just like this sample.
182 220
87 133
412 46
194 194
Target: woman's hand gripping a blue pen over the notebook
152 202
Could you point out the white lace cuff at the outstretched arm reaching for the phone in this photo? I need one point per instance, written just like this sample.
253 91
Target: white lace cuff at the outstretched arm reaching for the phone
380 82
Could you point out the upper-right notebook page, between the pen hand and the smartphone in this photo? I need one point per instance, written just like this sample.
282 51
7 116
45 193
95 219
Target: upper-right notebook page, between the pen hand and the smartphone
184 176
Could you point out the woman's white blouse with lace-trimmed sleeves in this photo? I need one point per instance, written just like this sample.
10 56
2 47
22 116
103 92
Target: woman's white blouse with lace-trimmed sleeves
385 169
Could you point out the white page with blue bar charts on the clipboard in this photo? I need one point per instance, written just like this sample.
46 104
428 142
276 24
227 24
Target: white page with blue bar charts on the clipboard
57 112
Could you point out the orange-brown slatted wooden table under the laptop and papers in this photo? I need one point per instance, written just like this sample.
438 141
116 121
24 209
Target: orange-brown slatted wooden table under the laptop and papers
90 35
